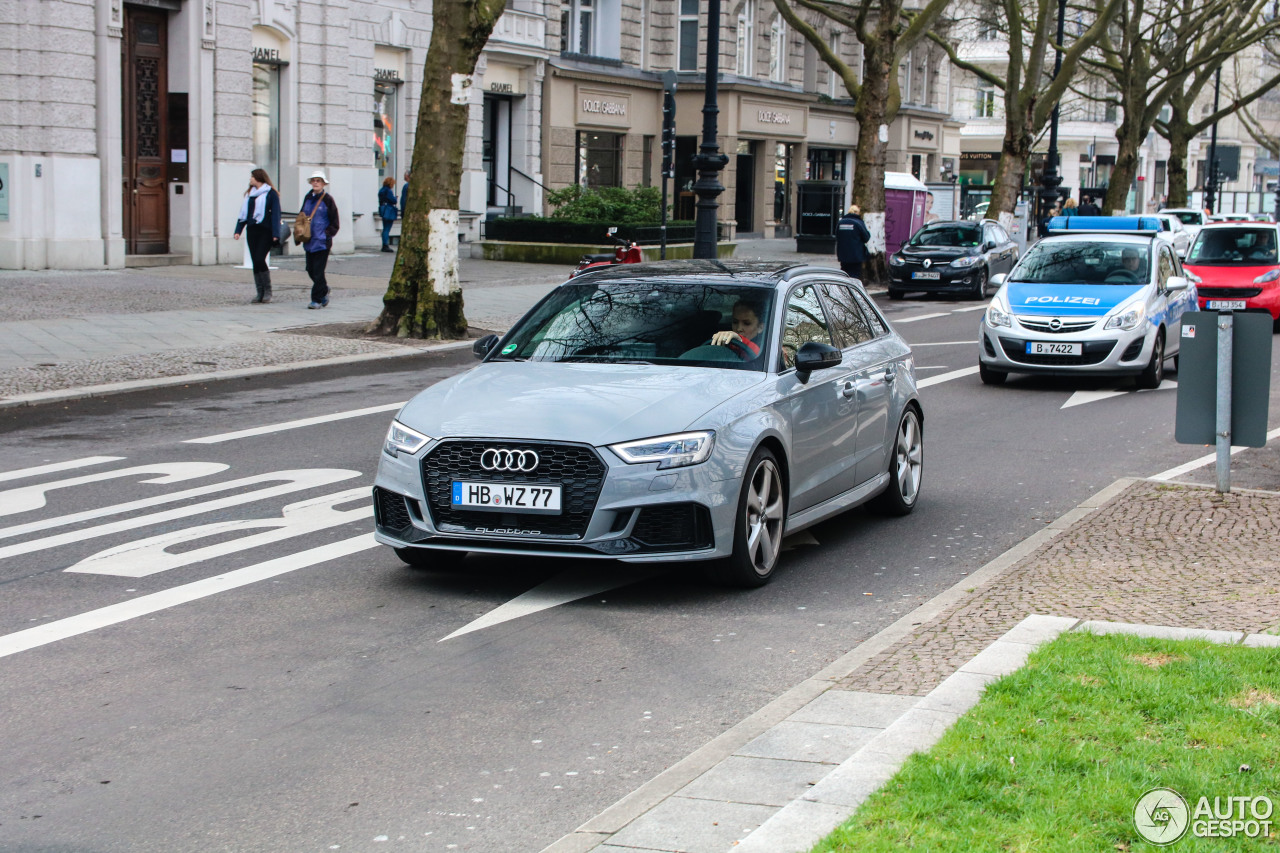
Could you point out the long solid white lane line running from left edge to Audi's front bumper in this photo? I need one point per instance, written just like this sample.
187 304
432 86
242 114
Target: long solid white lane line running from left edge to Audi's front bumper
145 605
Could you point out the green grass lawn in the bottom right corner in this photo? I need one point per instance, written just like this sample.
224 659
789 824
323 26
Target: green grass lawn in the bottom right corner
1055 756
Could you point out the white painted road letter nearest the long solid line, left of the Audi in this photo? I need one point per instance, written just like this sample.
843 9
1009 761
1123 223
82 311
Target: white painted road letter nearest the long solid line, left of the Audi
150 556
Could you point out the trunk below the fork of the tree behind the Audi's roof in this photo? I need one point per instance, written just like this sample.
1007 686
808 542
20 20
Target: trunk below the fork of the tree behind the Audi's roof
871 156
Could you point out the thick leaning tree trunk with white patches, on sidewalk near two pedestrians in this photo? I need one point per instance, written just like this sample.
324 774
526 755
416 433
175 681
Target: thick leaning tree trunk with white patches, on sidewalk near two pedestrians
424 297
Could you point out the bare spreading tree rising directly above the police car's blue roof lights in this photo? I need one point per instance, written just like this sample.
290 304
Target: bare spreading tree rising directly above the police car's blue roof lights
1148 53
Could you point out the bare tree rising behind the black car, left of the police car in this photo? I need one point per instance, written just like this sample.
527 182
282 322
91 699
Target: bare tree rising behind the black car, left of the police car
1030 88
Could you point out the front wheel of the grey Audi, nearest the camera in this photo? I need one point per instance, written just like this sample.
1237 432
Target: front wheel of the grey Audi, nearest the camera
761 521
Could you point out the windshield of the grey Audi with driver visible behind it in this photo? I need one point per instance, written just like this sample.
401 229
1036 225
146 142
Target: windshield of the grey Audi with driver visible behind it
647 323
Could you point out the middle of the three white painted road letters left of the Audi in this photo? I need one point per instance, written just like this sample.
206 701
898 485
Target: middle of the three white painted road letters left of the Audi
296 482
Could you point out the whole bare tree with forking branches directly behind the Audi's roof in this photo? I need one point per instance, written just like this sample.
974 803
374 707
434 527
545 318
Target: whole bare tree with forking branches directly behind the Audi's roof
888 33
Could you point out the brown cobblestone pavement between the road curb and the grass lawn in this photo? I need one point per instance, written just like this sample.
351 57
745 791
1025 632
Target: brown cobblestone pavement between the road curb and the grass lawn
1160 554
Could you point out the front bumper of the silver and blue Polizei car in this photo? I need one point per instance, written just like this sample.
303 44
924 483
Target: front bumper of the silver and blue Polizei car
1105 353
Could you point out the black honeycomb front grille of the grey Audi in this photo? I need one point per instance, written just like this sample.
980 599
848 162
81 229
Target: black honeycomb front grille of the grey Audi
575 468
